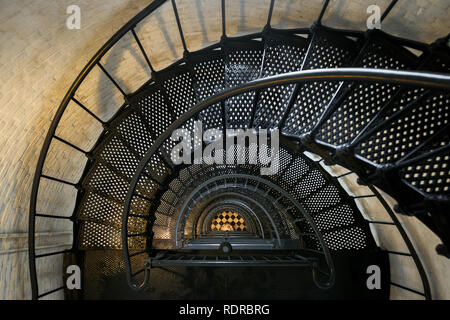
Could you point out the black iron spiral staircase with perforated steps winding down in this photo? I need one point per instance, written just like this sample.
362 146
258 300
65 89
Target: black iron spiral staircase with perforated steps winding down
361 115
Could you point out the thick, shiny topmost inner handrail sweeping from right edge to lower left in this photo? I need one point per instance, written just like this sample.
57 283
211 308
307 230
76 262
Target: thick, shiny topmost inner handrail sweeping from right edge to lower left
429 80
